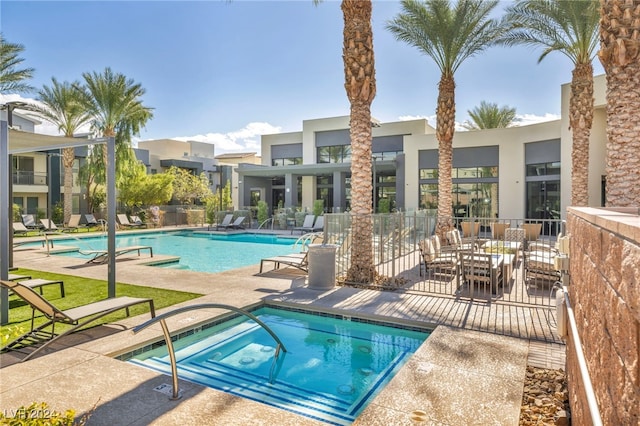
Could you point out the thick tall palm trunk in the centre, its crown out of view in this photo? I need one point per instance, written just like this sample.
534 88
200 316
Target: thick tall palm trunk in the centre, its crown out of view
360 85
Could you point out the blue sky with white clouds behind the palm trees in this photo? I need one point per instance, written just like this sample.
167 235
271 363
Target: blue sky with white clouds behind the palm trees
226 72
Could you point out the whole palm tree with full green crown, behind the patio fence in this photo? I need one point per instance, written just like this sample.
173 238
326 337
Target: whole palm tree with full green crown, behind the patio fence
448 36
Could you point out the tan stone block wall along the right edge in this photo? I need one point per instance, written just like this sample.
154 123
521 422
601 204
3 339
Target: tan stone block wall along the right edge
605 295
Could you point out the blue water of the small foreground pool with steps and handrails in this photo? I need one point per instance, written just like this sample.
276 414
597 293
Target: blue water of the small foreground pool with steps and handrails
332 369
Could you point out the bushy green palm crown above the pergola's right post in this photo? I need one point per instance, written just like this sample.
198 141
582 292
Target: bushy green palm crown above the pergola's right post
115 106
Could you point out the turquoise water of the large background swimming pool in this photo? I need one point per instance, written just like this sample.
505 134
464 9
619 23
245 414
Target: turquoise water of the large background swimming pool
202 252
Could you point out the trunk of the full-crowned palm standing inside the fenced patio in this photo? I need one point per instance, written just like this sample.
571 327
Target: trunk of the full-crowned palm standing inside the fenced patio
445 127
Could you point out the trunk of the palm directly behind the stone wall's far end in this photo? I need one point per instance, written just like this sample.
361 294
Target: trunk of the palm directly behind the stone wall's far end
581 120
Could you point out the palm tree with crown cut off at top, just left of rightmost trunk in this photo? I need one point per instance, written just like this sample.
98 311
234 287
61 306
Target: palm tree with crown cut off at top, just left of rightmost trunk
571 28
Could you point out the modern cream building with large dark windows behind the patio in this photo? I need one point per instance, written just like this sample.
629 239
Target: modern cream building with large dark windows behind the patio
513 172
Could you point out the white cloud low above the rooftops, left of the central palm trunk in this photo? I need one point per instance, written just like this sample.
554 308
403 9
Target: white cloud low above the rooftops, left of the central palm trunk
246 139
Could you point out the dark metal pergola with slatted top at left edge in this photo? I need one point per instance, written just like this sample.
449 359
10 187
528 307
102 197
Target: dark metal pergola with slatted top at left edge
16 142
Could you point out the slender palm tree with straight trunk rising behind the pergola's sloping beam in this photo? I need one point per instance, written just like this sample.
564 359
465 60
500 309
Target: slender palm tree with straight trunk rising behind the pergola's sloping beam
61 106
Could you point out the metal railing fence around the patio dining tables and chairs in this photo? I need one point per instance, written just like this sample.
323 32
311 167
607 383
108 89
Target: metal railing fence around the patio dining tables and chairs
497 260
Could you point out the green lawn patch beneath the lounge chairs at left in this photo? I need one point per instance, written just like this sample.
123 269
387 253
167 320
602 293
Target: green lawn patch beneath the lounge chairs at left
81 291
